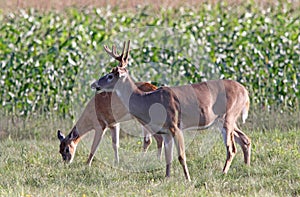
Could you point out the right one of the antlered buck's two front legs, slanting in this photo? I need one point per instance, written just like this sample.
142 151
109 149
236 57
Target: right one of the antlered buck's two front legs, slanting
179 141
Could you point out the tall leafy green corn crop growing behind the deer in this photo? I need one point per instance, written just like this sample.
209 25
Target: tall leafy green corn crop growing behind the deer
49 58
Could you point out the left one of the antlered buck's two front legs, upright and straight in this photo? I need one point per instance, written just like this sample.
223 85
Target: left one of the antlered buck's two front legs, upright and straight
168 143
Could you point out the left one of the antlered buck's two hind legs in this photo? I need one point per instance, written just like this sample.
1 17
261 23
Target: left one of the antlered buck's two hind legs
230 147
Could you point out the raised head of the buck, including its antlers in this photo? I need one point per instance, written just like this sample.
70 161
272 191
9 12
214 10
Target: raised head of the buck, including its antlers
108 82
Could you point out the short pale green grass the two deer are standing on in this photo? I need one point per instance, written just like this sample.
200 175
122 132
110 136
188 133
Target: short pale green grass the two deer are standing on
33 167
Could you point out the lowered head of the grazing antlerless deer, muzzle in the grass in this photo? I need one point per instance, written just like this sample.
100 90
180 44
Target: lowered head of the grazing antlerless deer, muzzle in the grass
68 145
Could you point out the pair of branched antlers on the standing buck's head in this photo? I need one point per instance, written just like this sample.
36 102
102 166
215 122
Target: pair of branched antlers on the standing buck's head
113 53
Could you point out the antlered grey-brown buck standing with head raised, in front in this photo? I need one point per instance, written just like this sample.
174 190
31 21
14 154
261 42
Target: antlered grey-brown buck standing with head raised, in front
170 110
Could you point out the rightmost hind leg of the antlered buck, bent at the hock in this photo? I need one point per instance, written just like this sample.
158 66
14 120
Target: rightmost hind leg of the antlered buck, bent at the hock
244 141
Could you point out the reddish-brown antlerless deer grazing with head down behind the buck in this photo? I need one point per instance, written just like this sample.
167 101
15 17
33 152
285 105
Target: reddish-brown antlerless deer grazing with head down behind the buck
99 115
